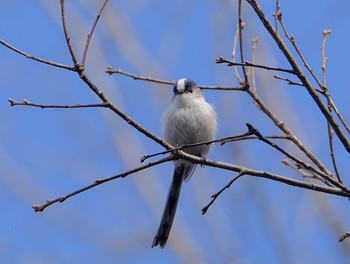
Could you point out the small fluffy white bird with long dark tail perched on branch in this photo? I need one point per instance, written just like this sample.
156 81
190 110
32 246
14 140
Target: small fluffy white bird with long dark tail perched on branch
188 119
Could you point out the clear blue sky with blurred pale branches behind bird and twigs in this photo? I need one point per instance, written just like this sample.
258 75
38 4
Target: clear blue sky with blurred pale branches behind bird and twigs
47 153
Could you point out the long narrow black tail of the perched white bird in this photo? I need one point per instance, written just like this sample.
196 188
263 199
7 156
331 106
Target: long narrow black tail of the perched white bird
170 208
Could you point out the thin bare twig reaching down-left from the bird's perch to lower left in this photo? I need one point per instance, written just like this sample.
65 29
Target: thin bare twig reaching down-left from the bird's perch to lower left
40 208
